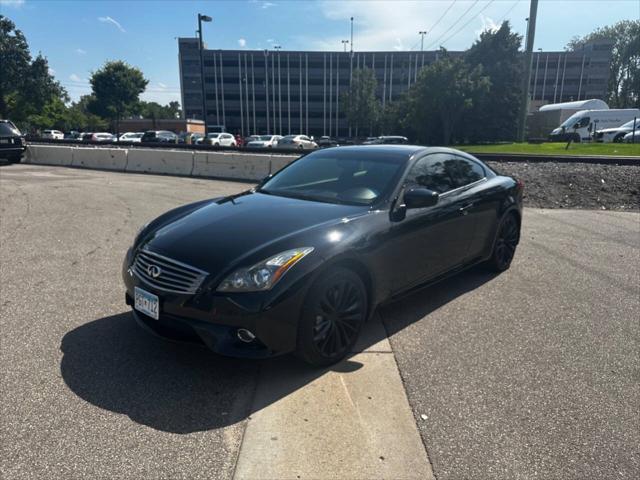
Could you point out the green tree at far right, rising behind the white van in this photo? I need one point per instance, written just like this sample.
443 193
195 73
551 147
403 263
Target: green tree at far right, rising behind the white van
623 90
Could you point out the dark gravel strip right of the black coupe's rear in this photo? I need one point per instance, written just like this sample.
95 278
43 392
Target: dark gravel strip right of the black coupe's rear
576 185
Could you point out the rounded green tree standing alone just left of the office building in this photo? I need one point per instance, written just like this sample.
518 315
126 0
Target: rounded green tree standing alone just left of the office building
116 90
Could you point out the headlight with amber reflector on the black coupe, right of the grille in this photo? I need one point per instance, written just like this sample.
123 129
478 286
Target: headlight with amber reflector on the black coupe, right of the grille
263 275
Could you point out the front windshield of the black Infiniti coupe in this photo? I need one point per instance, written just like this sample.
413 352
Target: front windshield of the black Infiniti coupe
347 177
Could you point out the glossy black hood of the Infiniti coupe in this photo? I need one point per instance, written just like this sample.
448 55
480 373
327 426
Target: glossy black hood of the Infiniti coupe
219 234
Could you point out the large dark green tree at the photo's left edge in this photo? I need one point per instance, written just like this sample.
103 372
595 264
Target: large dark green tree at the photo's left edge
26 84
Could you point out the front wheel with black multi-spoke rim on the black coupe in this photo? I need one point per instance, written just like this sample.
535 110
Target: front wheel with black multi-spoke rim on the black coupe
332 316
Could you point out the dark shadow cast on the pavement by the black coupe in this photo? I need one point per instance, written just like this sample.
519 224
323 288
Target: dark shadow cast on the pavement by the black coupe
182 388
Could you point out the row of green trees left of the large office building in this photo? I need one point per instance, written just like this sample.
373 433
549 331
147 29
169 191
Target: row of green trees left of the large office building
32 98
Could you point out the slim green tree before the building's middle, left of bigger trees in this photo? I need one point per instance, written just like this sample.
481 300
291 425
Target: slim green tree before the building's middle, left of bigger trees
362 108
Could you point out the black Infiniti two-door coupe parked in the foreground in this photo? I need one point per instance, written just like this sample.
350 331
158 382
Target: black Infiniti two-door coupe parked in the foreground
298 263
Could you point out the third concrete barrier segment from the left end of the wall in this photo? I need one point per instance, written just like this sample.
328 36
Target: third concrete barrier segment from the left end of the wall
174 162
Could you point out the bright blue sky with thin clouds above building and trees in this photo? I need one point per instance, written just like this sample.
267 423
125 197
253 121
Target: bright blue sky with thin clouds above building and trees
79 36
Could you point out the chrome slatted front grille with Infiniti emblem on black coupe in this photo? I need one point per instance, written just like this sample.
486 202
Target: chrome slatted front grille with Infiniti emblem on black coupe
171 275
